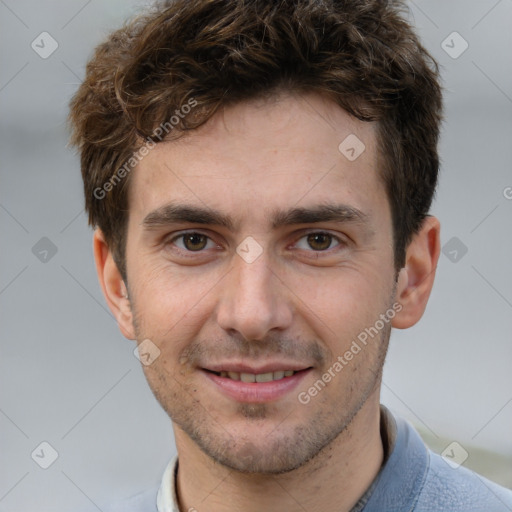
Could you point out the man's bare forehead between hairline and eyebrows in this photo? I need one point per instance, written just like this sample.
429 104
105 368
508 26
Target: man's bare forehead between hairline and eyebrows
261 156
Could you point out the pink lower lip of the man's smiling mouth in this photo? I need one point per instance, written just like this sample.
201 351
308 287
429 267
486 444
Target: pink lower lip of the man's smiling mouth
257 392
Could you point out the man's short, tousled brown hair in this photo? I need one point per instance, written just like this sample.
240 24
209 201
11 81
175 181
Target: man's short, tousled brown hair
362 54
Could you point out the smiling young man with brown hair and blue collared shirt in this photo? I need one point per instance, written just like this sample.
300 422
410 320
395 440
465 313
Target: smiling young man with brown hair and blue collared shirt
260 175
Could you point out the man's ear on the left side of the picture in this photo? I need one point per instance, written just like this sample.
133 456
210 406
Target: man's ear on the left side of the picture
113 286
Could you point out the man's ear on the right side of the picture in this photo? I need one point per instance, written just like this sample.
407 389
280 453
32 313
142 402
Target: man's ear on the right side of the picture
416 279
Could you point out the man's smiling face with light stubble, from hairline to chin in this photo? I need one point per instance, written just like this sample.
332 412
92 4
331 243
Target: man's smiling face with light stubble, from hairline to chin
257 253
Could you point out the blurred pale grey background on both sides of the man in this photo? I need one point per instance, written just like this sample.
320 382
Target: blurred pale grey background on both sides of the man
69 378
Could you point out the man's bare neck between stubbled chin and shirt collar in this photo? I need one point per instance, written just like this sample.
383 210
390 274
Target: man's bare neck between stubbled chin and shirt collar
334 480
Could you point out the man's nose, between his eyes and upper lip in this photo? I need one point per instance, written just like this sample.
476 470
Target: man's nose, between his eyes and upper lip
254 300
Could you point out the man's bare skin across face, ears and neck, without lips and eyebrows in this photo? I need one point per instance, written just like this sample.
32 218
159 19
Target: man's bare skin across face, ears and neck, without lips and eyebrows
302 301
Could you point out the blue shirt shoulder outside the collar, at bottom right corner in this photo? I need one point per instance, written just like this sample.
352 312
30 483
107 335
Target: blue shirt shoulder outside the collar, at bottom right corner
460 490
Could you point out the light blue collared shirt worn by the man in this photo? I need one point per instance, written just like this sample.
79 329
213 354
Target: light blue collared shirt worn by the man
411 479
